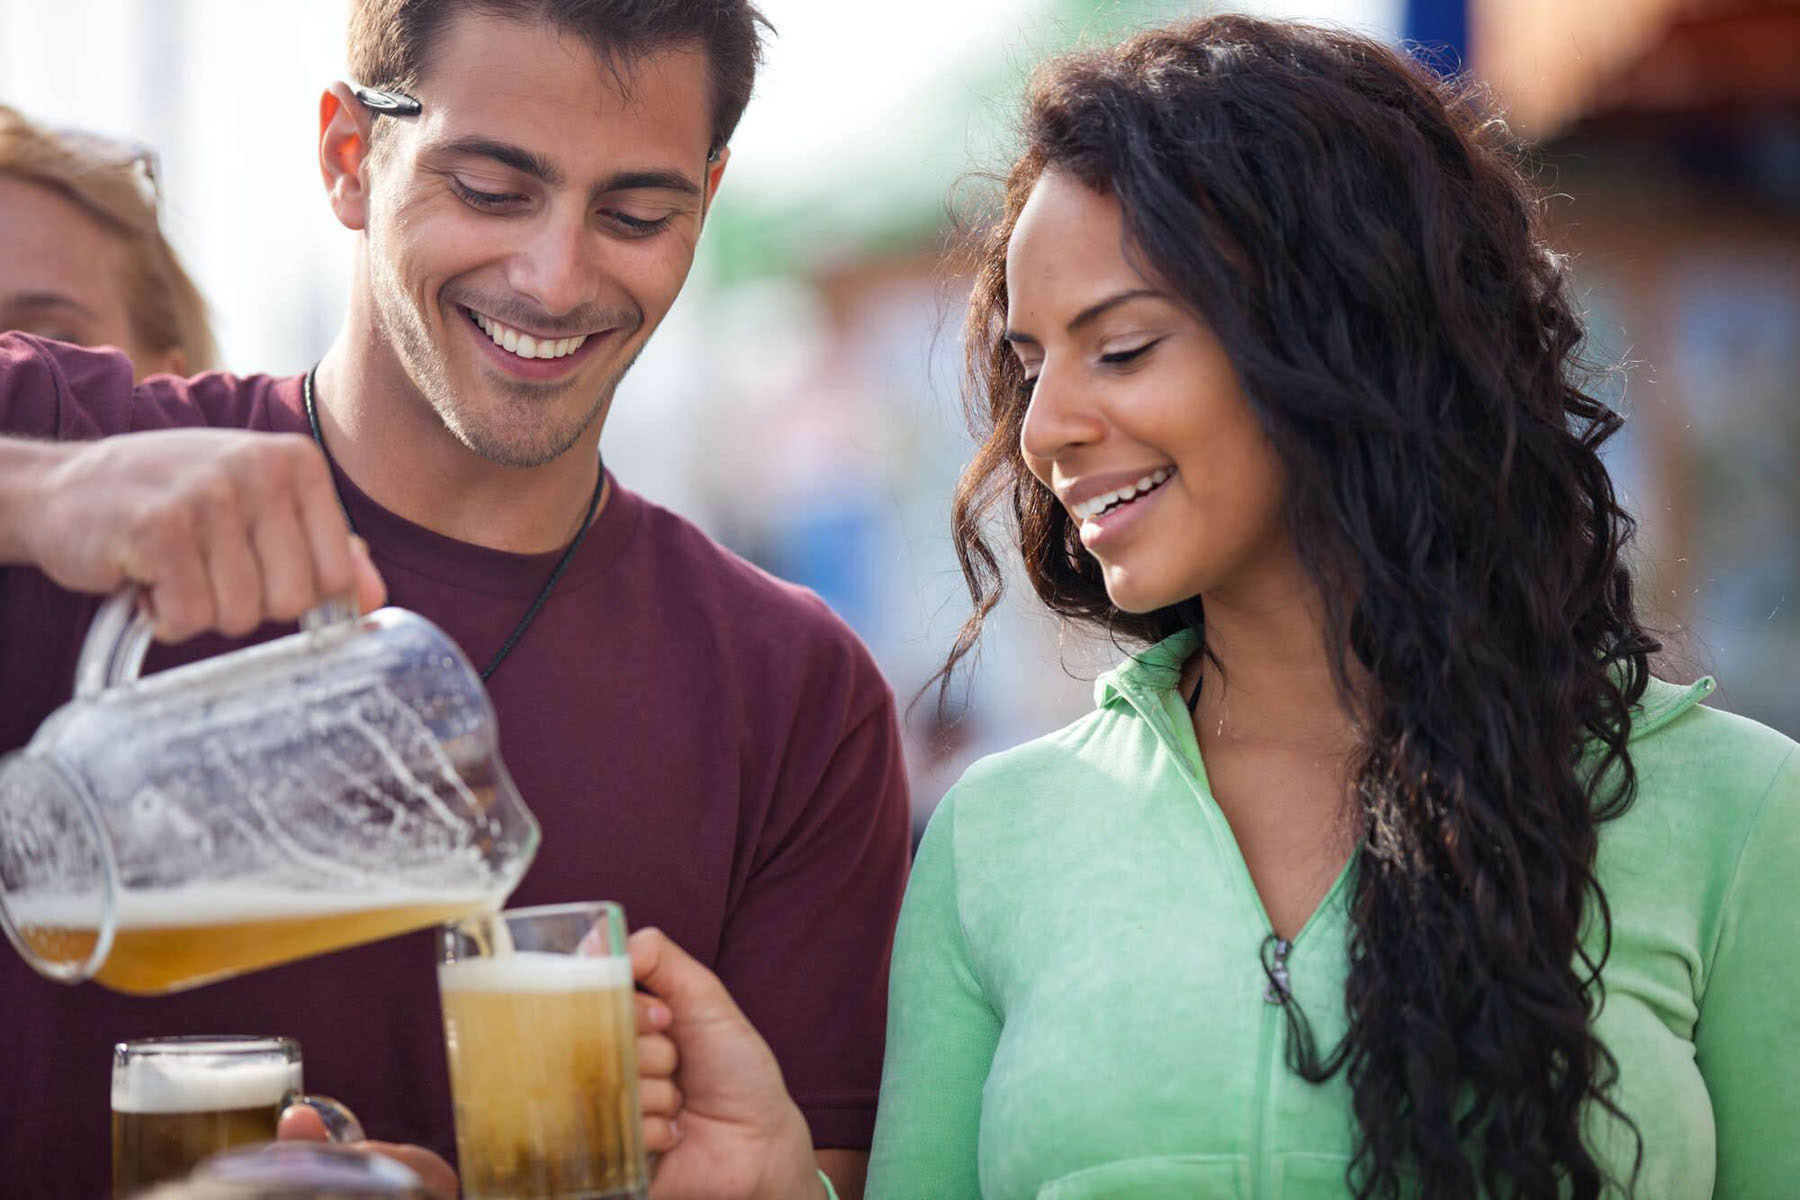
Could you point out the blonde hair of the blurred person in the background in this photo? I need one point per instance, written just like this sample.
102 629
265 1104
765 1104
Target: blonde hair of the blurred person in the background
163 303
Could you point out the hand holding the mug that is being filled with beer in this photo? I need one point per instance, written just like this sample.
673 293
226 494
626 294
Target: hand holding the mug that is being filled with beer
715 1107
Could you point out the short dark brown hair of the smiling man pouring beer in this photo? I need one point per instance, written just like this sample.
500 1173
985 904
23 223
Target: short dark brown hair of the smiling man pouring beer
390 40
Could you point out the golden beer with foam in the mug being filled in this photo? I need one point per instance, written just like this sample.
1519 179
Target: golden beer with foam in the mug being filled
544 1075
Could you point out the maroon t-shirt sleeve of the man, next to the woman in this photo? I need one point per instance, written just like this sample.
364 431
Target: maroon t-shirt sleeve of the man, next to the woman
805 947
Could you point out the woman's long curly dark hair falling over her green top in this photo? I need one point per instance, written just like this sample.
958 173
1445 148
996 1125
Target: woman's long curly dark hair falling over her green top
1363 242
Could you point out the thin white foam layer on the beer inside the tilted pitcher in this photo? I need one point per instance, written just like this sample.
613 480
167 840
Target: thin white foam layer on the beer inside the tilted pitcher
215 904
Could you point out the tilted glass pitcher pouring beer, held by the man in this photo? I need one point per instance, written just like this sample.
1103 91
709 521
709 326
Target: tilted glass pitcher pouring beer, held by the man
328 789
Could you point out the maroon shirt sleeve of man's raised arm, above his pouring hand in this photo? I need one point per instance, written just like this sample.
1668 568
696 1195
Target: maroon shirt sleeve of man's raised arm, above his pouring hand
55 390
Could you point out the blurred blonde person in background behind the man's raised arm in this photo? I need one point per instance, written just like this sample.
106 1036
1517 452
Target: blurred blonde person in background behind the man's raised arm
82 253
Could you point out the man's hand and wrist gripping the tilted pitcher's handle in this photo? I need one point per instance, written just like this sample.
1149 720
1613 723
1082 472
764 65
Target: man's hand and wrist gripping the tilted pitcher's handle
224 530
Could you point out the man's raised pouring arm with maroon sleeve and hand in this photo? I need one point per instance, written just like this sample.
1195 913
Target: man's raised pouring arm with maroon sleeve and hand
222 528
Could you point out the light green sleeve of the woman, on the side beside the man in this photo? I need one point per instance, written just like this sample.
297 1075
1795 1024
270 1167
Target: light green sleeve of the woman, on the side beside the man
940 1039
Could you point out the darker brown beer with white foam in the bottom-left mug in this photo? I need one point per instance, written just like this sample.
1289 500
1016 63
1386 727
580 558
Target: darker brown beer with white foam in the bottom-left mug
179 1100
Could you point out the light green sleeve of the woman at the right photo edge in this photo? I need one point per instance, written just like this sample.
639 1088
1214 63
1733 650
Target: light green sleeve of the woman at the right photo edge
1749 1034
